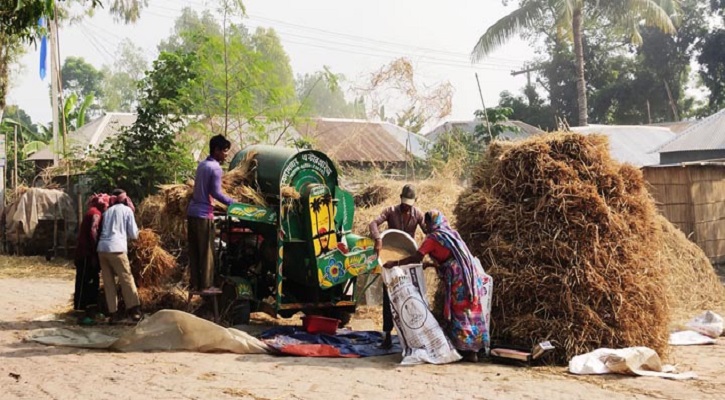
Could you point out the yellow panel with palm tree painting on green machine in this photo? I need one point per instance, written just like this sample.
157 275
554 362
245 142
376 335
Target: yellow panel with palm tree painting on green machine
322 215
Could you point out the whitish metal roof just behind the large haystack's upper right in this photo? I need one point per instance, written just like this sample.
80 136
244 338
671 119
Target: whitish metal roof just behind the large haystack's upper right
631 144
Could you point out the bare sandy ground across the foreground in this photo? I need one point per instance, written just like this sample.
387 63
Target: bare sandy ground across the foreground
34 371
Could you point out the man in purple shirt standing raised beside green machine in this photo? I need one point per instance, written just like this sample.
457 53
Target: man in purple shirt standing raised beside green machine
200 215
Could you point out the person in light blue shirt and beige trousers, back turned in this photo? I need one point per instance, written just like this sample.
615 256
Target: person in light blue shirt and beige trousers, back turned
119 226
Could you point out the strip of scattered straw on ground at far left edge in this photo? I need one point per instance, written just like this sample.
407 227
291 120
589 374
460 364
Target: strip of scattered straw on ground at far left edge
36 267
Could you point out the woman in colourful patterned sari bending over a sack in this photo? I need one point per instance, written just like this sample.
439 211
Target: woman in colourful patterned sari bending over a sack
465 311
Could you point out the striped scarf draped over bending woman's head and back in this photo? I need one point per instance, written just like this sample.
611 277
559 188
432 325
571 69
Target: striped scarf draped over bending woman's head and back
450 239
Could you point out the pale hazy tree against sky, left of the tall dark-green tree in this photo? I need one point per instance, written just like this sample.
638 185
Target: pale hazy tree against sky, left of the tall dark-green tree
120 80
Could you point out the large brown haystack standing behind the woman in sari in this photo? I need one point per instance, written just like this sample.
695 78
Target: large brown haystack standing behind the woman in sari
571 240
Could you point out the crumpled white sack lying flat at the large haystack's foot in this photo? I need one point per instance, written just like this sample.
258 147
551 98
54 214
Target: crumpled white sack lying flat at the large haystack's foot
641 361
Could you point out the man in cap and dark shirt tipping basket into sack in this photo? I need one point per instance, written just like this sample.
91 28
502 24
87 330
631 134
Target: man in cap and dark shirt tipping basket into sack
405 217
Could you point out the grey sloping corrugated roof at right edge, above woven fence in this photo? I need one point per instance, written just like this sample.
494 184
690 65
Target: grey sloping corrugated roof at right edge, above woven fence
707 134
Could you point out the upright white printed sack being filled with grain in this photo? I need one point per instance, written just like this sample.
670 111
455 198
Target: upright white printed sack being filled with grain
421 337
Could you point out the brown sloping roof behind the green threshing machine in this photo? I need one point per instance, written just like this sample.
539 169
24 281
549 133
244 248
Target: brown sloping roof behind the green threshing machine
354 140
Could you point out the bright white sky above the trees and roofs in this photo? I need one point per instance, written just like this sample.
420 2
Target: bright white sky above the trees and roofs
354 38
